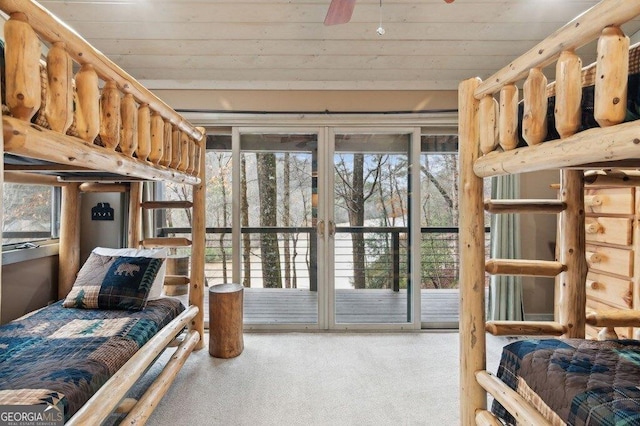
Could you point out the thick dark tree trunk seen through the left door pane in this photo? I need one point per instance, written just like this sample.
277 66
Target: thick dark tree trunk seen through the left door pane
267 185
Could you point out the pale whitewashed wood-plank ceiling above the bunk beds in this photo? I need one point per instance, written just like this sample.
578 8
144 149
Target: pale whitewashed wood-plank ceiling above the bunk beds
283 44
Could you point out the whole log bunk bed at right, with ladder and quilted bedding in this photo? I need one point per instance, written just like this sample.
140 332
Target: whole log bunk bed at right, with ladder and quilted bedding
550 380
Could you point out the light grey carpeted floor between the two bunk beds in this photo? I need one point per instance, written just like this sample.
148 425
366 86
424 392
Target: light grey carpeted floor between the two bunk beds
323 379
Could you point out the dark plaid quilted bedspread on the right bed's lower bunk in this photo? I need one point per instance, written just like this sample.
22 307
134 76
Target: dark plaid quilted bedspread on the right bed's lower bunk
575 381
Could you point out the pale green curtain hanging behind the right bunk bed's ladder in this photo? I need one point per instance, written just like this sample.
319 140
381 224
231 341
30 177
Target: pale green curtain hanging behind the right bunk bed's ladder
505 292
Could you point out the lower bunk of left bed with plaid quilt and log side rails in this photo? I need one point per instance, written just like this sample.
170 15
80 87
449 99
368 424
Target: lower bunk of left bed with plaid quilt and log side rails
81 362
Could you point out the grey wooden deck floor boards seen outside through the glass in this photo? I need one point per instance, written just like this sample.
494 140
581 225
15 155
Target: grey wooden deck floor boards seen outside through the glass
298 306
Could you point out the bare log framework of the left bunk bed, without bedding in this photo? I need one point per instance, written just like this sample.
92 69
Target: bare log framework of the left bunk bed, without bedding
104 122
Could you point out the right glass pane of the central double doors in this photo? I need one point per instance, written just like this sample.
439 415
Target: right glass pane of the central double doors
371 233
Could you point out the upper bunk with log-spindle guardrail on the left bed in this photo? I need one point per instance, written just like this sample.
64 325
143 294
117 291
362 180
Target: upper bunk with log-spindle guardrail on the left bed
70 113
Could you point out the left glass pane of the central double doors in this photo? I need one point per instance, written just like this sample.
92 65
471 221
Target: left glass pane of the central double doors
278 235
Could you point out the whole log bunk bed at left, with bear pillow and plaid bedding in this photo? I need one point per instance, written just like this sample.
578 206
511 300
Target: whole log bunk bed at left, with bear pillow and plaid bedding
63 130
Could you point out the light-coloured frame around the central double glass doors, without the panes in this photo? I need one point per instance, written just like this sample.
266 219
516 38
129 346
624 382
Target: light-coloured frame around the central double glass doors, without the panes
326 290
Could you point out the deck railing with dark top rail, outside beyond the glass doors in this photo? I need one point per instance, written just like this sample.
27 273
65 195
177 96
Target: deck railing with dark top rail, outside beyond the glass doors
384 262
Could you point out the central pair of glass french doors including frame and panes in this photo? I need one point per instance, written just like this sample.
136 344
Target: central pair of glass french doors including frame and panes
323 227
